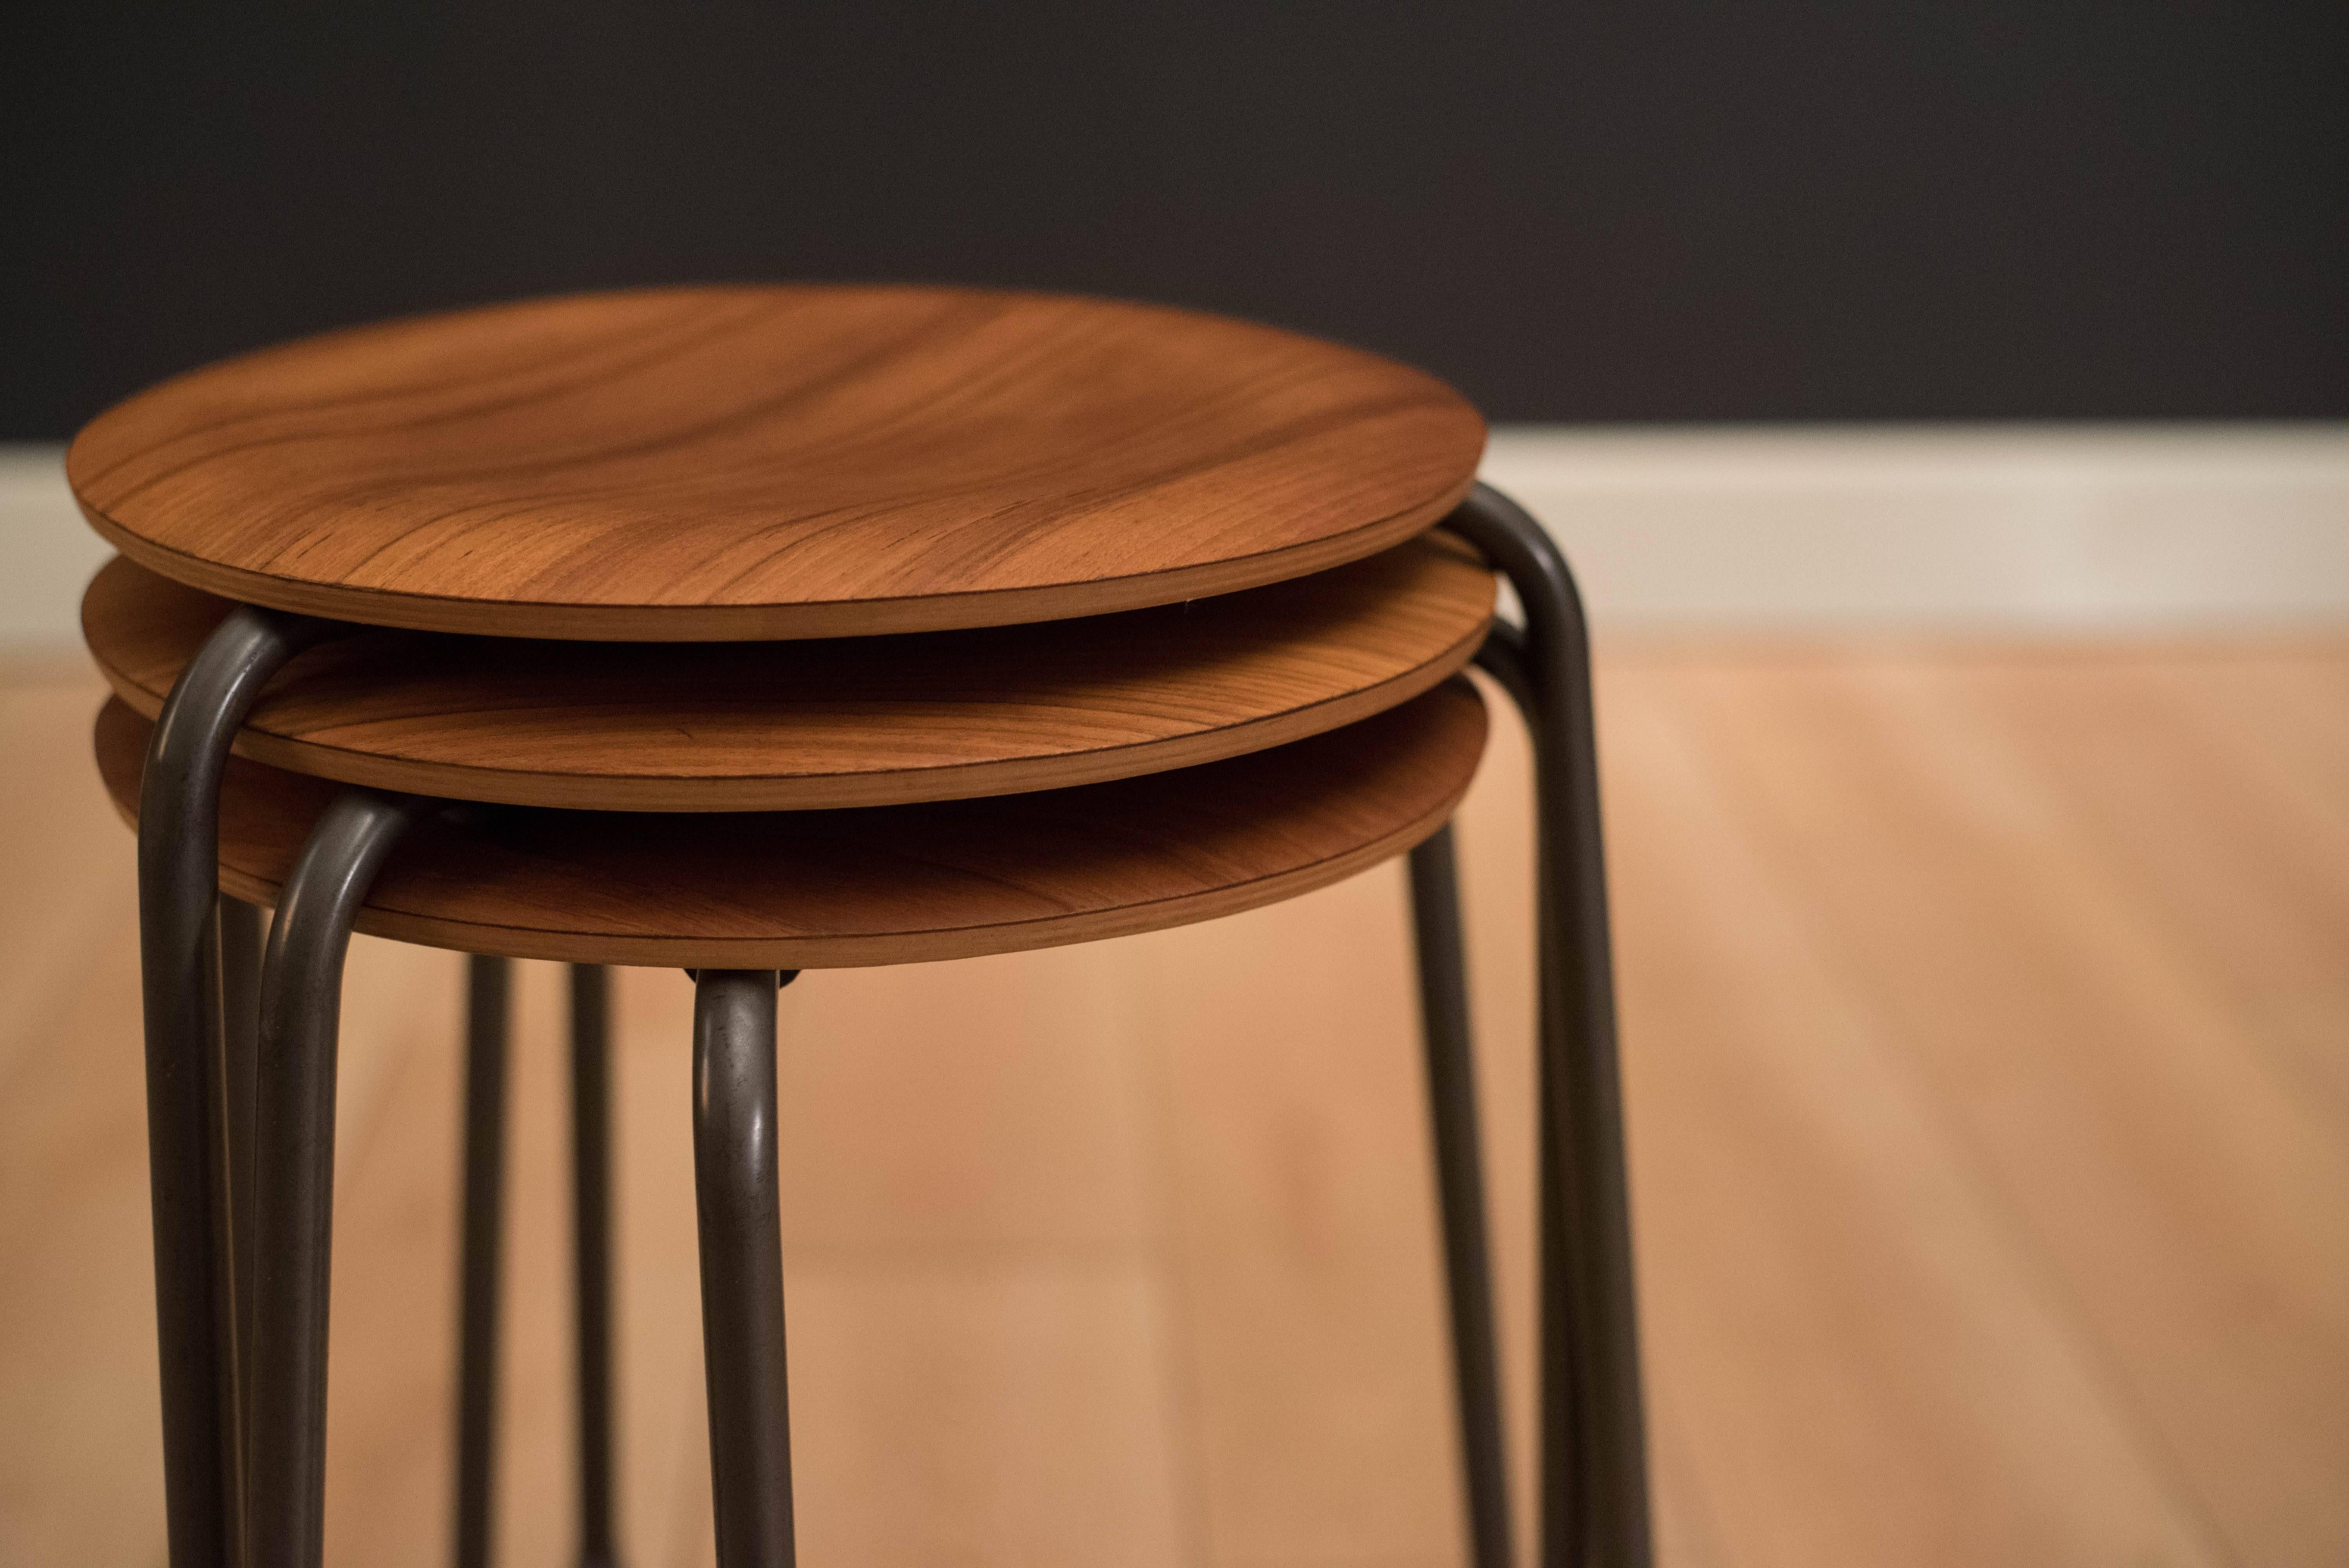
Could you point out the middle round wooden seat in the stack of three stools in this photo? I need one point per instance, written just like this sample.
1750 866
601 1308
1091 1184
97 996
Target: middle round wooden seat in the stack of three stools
826 724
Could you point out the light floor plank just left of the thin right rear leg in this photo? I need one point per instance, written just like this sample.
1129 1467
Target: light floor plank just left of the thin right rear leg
1303 1229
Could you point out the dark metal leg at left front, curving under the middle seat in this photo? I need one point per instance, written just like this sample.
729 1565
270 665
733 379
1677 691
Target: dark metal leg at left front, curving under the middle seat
302 992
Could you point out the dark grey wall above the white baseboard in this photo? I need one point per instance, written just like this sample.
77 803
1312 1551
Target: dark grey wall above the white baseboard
1577 212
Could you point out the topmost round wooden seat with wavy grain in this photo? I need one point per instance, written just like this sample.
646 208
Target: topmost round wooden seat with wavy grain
772 464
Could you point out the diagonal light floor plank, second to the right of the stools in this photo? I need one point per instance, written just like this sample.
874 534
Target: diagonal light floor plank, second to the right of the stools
2186 1198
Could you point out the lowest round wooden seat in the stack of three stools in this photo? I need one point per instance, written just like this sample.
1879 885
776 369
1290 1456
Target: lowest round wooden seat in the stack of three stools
873 886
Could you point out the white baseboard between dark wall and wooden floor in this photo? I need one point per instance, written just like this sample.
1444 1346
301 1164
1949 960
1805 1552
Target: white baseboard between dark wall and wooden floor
1777 529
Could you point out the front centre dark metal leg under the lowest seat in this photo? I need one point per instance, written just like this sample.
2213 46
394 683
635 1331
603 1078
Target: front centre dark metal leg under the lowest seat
734 1177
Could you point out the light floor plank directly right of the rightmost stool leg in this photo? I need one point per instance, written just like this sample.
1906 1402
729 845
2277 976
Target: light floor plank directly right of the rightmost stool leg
1817 1250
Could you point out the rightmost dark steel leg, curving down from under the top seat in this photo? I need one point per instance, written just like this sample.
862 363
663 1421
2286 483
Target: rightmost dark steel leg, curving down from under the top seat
1594 1442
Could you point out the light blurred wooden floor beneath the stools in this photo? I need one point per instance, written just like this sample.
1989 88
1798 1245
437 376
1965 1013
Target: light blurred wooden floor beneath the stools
1988 1055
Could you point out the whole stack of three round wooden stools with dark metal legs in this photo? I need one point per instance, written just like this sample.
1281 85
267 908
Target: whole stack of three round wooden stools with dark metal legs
772 630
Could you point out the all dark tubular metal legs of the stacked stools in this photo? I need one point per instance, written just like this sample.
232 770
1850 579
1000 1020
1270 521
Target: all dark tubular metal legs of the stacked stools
241 1135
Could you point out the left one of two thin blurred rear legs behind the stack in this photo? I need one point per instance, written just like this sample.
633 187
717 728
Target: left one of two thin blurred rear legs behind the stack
487 989
